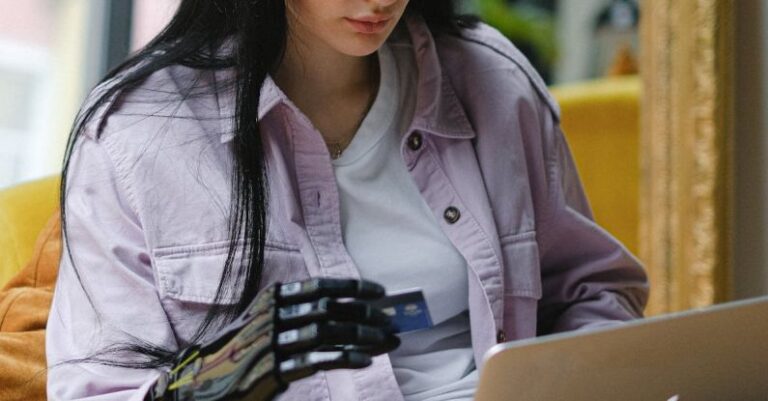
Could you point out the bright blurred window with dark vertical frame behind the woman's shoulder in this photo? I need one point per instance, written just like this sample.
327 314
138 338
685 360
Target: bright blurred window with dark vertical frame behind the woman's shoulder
51 55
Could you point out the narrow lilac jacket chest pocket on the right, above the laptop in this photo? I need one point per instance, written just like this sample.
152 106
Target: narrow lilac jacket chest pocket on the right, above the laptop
522 285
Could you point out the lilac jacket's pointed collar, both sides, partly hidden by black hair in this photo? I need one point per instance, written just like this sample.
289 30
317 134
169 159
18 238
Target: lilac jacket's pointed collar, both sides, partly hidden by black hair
438 109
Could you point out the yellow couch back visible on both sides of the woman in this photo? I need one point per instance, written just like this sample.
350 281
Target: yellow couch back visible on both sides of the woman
600 119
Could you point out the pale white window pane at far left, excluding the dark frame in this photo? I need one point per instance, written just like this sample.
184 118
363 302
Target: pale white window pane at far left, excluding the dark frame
27 52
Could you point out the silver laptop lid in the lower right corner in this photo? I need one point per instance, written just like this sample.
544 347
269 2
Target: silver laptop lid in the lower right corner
719 353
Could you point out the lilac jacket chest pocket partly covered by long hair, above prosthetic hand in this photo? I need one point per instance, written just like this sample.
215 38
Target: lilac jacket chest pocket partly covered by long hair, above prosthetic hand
188 277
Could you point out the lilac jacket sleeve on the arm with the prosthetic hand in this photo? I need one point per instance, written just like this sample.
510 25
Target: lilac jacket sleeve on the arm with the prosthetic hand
105 294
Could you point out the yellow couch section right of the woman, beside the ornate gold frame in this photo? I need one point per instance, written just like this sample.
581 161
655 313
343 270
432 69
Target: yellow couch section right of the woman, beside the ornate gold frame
601 120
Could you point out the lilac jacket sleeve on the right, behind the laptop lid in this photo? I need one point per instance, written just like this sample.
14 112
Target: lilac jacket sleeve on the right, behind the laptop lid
589 279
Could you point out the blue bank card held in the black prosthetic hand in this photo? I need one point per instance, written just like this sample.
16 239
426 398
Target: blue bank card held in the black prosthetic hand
407 309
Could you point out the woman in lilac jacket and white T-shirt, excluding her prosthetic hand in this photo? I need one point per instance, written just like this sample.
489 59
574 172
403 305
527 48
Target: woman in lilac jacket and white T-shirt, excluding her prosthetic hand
256 142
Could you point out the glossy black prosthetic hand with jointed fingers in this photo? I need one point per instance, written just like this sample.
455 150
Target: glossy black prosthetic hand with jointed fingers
289 332
